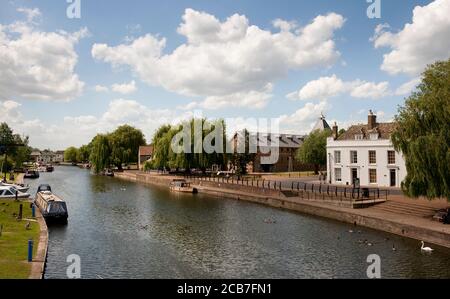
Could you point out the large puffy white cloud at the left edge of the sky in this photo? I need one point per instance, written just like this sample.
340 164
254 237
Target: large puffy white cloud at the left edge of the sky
38 65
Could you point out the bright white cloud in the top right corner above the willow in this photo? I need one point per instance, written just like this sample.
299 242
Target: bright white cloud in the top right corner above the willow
421 42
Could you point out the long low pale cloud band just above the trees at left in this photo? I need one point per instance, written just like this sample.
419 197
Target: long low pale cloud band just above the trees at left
84 127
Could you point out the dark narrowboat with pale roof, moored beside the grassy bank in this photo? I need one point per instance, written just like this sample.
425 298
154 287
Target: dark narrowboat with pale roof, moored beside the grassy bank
52 207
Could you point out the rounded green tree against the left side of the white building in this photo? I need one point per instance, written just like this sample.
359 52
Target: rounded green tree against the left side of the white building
314 149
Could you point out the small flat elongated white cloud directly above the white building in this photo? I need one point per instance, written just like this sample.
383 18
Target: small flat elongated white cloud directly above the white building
328 87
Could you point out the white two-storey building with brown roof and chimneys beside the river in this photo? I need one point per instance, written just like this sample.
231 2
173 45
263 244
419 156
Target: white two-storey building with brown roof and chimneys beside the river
365 152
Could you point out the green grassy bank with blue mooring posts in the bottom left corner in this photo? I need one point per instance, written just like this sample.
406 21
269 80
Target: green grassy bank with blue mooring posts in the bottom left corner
14 240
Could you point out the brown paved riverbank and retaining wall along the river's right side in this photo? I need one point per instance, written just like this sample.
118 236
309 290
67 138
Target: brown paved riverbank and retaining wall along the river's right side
410 226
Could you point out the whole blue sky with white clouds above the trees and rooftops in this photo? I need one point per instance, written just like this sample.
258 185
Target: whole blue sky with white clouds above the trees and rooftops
147 63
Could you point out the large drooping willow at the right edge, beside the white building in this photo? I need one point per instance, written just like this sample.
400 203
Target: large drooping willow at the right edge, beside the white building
423 135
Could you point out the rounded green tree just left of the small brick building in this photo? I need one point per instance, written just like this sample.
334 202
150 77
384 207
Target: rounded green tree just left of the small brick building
124 144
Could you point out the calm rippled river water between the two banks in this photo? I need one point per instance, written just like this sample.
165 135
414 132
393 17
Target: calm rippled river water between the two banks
127 230
